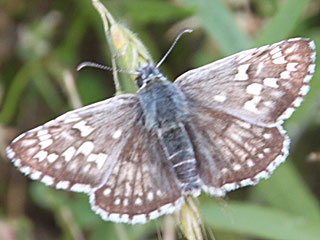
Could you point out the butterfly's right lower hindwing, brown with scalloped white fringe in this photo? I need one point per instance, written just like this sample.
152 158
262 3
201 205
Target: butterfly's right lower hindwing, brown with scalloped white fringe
233 153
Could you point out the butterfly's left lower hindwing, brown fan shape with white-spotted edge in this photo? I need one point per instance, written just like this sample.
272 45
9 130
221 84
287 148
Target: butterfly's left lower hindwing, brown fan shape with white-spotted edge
141 186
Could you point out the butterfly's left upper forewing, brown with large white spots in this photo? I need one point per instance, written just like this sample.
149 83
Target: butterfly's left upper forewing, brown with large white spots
78 150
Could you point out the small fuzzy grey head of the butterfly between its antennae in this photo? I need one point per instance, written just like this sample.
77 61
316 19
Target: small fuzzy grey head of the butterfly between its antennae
147 73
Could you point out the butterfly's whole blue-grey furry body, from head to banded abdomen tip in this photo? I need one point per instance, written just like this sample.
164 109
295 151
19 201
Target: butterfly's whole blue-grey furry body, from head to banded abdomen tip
165 111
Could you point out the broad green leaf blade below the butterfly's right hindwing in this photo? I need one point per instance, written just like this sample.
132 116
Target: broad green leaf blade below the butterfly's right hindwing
260 222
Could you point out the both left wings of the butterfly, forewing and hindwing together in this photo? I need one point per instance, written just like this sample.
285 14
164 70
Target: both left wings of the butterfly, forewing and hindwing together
102 149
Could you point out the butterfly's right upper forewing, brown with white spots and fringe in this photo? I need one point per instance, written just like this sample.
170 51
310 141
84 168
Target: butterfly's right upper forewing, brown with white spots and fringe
262 85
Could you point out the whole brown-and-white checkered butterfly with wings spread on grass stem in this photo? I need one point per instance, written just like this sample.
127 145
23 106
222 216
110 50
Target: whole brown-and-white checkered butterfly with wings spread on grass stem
214 129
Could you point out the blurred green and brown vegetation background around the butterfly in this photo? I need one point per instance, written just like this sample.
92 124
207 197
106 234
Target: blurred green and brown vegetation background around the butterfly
41 43
